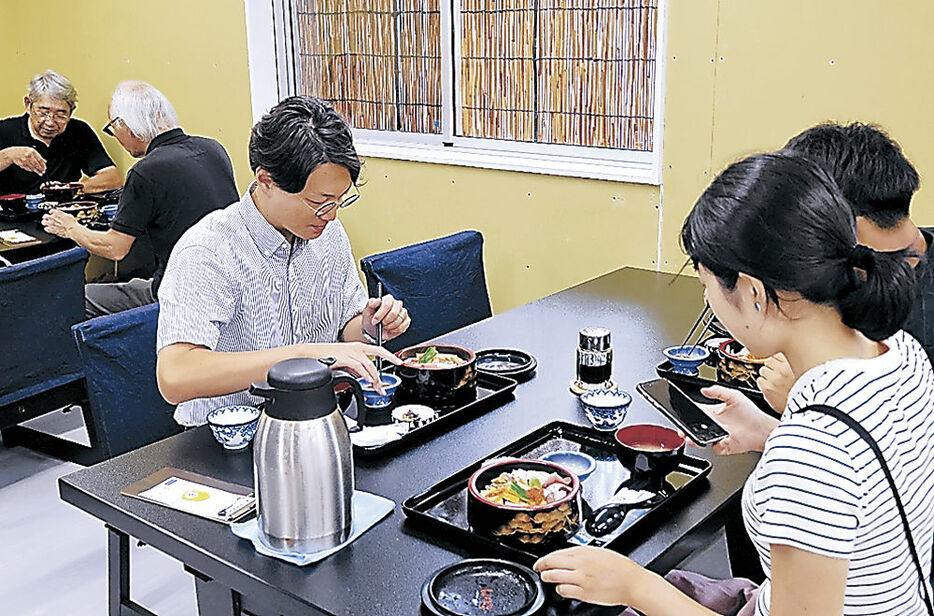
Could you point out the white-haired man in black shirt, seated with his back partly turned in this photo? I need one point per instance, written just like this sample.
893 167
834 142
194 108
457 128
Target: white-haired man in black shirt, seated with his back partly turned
179 179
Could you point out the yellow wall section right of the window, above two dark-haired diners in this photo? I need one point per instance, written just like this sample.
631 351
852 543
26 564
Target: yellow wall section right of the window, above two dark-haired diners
781 66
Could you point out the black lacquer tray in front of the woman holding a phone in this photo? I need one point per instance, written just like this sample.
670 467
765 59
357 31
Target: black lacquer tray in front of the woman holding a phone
442 509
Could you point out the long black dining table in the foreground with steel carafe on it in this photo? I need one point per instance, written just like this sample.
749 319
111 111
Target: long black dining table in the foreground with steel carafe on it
382 572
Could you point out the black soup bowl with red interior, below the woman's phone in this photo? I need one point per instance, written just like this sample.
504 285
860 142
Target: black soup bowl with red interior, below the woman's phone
649 449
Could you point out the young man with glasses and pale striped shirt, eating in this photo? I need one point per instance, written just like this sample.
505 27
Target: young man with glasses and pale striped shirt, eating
272 276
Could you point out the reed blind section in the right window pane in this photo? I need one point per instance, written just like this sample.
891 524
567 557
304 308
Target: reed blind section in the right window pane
572 72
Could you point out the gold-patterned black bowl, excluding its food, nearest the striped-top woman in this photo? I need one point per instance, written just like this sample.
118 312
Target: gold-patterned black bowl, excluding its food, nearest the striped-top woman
522 525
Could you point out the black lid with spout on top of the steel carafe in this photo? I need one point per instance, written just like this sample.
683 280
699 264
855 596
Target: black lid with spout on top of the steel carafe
297 389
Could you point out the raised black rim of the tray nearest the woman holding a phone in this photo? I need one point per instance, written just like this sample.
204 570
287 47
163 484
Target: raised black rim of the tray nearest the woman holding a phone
443 488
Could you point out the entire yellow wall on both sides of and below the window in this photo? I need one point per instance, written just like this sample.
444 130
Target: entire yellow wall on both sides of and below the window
741 76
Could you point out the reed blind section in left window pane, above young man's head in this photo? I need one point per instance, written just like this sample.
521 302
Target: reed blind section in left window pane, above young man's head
377 61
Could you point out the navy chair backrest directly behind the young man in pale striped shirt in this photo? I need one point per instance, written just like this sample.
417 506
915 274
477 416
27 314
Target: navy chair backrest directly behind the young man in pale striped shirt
118 354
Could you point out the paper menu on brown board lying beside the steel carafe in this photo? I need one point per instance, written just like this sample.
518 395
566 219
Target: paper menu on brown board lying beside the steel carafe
195 494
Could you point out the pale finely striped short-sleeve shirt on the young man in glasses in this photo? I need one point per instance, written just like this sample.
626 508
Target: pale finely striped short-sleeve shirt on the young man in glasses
234 283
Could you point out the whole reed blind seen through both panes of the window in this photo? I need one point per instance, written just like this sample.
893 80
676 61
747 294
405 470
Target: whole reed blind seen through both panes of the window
566 72
